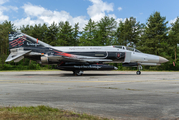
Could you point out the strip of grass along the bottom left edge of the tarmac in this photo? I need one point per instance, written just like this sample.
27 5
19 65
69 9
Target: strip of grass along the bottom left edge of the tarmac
42 113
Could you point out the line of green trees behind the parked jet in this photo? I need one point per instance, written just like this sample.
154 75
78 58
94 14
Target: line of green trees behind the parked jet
153 37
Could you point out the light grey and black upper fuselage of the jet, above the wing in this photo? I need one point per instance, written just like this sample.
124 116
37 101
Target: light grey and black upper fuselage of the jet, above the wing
118 55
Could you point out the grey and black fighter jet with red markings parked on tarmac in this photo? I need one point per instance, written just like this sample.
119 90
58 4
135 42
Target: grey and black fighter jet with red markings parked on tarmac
78 58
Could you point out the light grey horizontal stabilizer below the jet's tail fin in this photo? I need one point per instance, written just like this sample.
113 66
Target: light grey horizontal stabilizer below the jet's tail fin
17 57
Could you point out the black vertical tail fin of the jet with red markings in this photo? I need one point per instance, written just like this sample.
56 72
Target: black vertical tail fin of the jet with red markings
17 39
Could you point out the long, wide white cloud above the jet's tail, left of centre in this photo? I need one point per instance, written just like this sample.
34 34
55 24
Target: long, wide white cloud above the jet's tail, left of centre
37 14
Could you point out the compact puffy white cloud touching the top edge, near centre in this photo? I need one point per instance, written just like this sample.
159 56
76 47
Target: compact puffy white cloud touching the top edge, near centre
98 9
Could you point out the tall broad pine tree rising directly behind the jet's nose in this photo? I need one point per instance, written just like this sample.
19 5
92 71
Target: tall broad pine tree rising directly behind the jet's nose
154 39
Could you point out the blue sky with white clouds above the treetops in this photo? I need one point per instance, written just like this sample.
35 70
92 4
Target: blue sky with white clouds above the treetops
31 12
